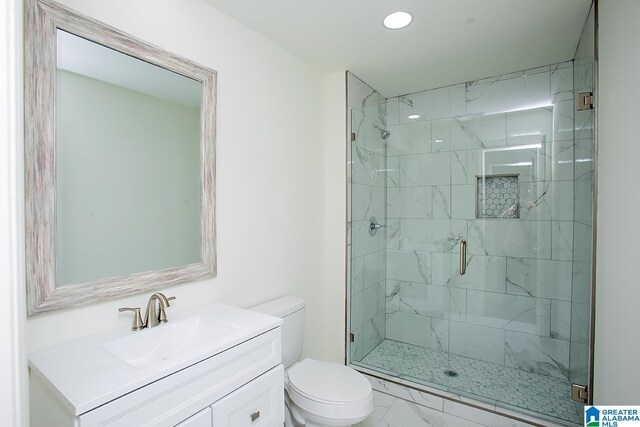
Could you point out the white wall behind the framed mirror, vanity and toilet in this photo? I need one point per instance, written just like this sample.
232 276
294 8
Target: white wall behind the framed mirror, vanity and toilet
271 205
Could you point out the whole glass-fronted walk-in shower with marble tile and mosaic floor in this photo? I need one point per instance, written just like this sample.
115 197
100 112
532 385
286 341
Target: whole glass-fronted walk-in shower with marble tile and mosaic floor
470 238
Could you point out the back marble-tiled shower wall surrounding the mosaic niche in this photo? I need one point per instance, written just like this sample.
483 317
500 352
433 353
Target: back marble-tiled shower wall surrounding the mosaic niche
513 306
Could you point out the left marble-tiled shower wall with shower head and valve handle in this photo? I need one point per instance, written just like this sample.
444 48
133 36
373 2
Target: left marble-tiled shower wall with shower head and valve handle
367 198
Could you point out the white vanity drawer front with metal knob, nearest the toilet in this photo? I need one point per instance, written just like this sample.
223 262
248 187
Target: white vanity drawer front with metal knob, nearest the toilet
259 403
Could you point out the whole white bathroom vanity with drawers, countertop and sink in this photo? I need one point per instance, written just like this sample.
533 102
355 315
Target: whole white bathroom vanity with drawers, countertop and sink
214 365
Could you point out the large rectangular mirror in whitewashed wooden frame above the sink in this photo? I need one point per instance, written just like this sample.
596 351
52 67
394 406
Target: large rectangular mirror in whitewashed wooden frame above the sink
119 162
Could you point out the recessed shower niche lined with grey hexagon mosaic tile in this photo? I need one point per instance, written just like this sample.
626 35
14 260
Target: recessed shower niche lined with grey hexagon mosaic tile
497 196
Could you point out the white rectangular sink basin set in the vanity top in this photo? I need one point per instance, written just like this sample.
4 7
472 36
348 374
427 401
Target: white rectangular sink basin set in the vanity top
150 346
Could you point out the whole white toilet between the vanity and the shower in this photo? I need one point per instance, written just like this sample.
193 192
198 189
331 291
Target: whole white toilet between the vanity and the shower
317 394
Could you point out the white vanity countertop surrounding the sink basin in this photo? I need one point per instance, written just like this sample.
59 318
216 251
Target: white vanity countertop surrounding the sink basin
86 374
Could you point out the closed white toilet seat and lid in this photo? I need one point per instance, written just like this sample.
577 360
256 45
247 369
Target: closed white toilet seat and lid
329 390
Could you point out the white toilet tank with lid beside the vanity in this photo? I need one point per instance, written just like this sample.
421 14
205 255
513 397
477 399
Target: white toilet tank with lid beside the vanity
291 310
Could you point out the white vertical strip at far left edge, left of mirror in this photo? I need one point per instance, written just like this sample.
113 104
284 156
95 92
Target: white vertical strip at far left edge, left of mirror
13 392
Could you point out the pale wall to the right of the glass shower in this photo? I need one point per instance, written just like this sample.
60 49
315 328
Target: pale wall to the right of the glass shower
617 334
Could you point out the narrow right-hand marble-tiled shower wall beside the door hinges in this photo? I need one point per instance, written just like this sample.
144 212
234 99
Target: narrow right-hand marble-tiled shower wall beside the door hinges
582 225
